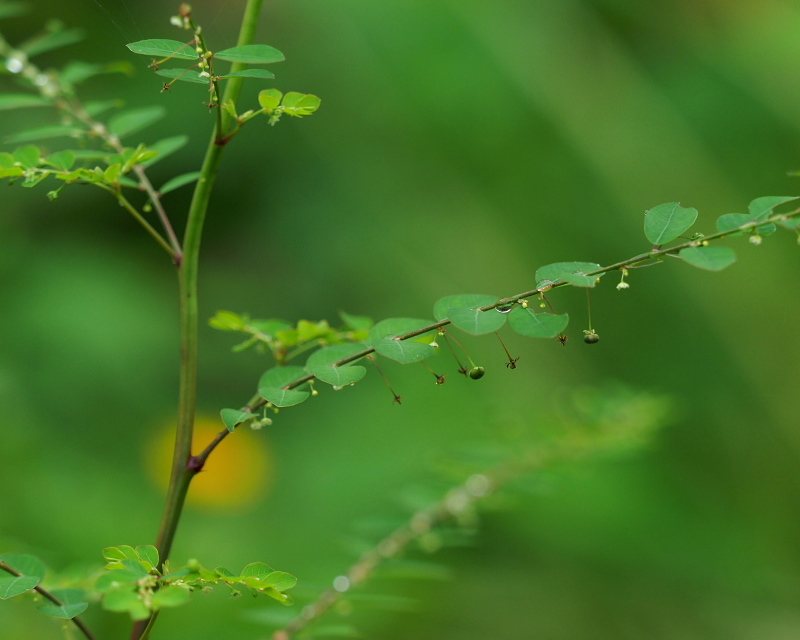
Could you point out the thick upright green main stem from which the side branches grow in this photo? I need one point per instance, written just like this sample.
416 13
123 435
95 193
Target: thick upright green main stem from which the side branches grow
184 465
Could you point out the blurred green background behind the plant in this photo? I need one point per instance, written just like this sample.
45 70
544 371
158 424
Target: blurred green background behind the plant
460 145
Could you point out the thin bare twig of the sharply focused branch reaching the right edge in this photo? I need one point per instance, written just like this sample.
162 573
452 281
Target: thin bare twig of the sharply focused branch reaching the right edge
257 401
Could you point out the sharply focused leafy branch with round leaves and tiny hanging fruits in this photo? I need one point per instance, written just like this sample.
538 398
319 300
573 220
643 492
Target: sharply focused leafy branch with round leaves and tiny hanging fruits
663 224
